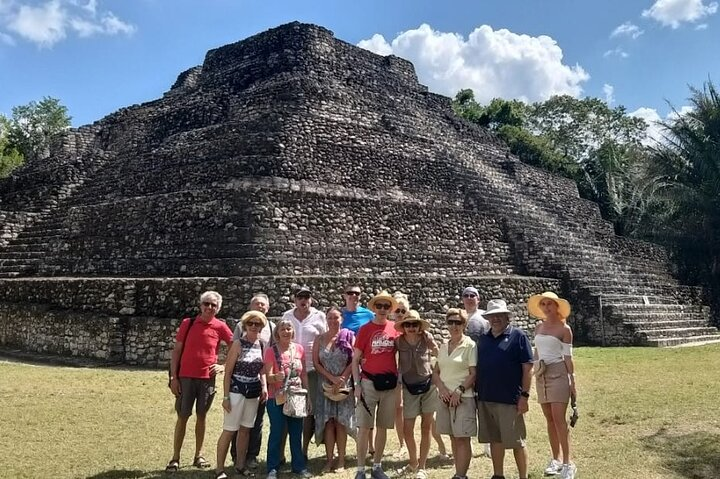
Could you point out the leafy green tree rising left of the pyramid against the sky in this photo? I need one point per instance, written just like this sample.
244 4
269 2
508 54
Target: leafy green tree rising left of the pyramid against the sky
33 127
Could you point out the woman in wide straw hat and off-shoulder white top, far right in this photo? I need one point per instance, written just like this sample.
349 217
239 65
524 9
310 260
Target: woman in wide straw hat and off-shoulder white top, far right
555 375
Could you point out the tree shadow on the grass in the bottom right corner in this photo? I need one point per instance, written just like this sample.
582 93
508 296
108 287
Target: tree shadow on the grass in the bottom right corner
695 455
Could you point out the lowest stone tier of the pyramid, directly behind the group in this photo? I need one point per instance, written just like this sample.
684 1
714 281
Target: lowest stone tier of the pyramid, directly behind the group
134 321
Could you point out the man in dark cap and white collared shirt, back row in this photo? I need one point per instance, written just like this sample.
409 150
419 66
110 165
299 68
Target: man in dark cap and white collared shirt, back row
309 323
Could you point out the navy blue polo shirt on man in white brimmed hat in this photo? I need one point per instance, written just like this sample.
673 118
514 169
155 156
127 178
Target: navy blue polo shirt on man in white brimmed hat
499 366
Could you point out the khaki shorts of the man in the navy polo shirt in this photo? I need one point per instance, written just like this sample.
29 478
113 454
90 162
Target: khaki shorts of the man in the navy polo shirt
501 424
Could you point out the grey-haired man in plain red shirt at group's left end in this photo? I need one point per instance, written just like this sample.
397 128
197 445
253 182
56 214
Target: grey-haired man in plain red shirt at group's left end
193 369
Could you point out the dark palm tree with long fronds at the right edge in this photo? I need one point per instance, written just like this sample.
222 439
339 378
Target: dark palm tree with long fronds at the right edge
686 172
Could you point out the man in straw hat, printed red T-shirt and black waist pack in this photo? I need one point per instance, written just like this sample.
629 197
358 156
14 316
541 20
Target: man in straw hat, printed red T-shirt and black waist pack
375 387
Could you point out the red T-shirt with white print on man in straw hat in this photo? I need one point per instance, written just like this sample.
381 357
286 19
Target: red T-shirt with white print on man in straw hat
377 343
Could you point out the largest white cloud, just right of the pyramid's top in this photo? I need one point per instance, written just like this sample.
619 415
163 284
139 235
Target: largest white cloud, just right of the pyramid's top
494 63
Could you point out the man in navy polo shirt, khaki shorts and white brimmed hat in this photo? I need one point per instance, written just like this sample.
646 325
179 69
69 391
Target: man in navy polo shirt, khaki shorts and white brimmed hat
504 372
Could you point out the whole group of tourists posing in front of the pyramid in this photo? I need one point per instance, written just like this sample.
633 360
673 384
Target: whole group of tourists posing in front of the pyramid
357 372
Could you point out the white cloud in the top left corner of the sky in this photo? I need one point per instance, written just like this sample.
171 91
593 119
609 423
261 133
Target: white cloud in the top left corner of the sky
51 22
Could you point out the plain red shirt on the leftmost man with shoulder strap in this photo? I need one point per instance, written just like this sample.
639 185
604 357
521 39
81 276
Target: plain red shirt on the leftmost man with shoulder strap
201 345
